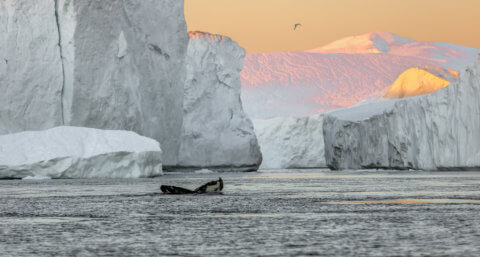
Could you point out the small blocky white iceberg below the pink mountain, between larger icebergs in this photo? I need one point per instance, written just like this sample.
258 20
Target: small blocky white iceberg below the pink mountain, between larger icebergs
291 142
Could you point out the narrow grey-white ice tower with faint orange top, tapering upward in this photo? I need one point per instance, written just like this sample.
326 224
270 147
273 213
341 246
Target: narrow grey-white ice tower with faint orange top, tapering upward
216 132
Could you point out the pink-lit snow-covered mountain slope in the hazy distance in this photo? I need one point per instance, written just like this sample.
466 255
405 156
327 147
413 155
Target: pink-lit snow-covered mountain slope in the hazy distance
342 73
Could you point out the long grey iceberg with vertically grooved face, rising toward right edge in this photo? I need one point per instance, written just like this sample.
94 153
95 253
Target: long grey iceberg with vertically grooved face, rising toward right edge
430 132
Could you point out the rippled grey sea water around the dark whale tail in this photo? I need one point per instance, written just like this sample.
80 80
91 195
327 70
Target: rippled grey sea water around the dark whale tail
260 214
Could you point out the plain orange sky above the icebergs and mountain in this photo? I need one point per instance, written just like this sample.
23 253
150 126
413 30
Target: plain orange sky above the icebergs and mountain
267 25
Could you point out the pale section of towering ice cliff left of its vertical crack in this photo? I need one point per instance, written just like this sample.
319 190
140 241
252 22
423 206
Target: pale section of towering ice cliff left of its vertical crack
31 77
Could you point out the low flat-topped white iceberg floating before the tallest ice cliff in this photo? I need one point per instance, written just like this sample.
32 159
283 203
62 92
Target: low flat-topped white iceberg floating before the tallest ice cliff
74 152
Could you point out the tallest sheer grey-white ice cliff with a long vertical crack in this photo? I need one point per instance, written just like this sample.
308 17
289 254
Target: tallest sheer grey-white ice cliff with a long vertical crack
103 64
